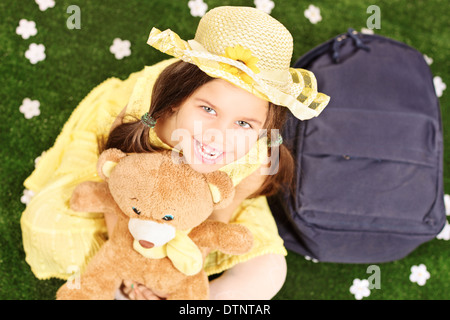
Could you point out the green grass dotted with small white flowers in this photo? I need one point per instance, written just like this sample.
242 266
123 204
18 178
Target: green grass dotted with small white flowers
78 60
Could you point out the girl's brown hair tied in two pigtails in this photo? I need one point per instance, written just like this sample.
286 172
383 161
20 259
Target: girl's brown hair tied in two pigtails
173 86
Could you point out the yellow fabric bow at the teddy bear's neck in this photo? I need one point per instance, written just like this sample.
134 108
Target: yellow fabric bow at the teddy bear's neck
181 250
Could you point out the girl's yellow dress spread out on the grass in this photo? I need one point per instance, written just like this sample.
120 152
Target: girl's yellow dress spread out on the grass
58 241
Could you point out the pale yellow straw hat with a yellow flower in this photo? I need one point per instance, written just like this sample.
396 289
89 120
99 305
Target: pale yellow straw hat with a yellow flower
253 51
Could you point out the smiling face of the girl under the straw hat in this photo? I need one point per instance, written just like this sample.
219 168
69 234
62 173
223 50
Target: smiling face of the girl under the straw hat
217 124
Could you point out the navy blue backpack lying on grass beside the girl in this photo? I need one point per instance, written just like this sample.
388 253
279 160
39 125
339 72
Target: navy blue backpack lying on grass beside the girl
369 175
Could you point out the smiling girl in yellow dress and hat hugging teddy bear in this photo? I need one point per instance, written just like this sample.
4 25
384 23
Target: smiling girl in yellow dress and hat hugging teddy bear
216 105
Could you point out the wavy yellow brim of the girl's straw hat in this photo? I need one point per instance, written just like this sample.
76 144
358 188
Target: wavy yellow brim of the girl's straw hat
295 89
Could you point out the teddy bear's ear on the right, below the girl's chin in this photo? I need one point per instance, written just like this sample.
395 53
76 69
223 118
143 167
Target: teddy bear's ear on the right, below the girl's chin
222 189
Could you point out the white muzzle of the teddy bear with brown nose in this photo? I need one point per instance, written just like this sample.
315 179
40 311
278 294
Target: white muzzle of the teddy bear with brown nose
150 234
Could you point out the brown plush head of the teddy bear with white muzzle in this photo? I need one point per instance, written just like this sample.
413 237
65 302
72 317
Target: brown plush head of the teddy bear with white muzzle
160 194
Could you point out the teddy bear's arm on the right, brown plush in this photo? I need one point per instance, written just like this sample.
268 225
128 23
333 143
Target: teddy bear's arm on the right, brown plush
227 238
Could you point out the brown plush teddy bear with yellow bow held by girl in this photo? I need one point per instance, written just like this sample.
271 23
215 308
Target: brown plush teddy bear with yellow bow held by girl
162 235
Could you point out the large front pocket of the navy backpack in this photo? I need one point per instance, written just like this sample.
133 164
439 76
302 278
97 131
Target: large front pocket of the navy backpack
371 176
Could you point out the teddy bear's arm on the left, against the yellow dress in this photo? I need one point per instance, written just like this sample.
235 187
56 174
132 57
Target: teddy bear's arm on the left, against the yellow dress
93 196
